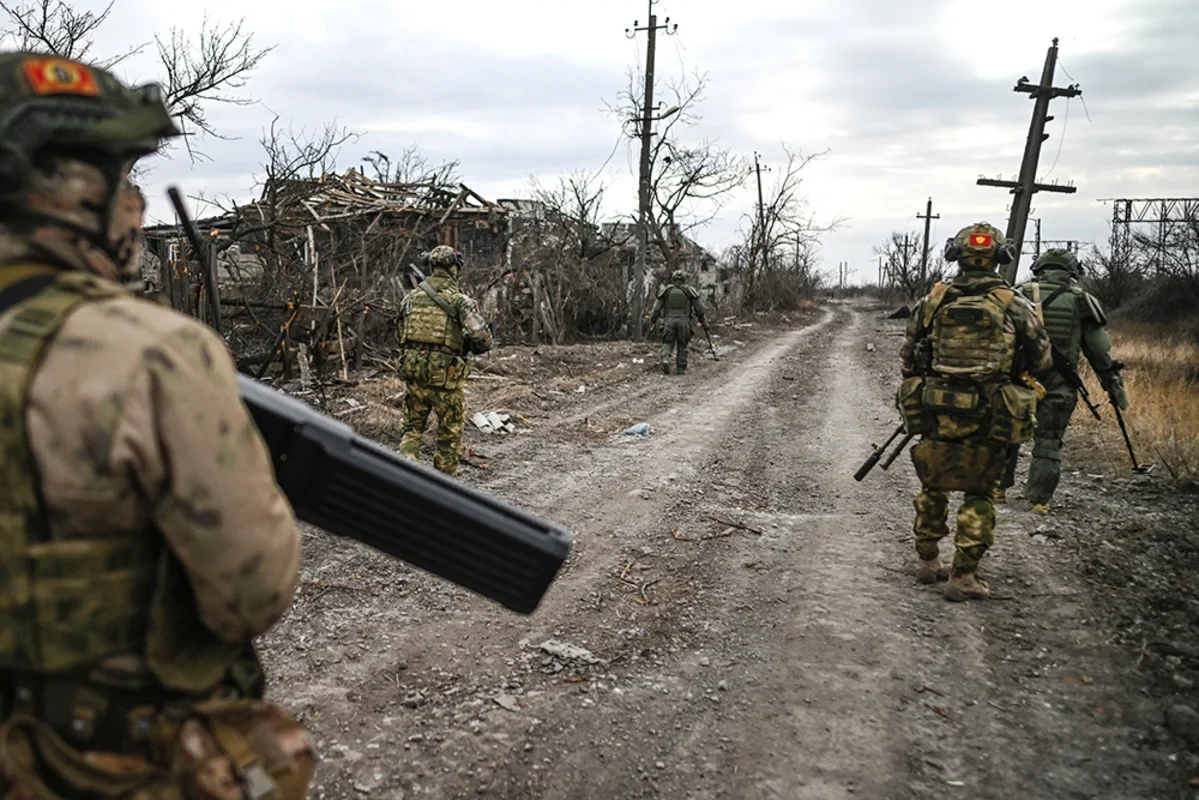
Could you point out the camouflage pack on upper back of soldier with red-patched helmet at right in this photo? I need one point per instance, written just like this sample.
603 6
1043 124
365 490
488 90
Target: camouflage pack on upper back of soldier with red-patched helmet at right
971 336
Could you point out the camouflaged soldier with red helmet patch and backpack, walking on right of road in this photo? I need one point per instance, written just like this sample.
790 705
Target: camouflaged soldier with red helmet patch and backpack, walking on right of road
967 342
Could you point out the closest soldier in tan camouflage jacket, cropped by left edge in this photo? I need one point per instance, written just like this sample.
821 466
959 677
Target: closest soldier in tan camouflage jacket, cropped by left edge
146 540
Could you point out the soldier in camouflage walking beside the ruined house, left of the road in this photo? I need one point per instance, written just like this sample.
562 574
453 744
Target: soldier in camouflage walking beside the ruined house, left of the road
439 328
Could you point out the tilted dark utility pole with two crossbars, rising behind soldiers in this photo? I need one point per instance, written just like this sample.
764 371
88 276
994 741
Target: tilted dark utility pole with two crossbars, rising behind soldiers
1026 185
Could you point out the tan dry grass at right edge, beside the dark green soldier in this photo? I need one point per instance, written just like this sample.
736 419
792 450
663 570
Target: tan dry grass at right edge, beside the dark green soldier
1162 380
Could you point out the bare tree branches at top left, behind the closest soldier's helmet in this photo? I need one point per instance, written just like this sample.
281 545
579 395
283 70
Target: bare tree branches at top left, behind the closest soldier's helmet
196 73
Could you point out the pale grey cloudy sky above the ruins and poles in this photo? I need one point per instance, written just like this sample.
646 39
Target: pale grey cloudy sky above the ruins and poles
913 99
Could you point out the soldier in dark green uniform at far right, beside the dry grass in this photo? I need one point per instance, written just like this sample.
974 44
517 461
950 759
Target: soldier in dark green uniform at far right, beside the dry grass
1076 327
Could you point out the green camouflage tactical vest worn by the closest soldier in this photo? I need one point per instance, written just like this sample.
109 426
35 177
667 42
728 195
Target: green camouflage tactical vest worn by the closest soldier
68 605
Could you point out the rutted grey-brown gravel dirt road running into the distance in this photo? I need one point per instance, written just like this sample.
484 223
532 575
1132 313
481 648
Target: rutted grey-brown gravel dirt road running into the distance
739 619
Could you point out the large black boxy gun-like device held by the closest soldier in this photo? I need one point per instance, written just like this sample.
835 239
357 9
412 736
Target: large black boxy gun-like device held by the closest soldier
353 488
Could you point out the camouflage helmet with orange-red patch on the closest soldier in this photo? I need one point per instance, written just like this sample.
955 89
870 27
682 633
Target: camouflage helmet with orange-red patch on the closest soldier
50 101
